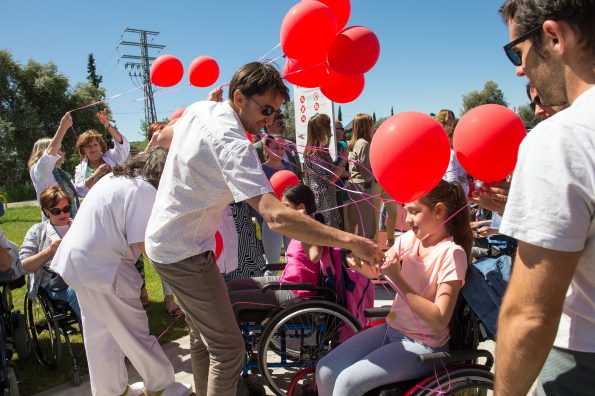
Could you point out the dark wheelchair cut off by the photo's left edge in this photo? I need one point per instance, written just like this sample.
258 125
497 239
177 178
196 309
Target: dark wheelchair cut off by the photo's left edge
13 335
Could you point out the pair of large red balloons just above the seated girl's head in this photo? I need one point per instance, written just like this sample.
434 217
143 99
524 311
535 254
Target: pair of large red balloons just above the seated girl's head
410 151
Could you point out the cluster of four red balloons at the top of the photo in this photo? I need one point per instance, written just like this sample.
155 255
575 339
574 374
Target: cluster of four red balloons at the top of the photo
322 53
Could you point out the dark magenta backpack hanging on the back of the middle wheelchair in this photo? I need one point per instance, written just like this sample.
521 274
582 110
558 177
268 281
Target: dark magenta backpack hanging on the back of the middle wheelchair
355 292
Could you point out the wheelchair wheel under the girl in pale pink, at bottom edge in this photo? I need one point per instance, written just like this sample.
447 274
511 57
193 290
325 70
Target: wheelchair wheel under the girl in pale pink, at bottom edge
459 381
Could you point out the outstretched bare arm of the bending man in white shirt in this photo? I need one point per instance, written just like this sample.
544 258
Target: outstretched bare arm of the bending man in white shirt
298 226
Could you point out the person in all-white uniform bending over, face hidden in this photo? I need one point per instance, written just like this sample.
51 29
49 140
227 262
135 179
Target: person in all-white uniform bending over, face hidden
97 259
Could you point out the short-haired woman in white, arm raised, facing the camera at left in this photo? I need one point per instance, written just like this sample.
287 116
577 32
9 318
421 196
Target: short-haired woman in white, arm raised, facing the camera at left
96 159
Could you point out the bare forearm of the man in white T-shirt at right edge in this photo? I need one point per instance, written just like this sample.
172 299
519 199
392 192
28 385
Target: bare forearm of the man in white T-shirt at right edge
530 315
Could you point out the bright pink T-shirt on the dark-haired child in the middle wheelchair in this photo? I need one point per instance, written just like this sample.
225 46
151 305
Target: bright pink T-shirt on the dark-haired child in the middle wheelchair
299 268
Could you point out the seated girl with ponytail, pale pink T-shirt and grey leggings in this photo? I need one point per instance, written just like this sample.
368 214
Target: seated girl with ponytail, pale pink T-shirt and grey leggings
428 265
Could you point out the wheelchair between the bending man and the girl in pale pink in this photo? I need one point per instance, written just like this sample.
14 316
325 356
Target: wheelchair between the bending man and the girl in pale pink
285 340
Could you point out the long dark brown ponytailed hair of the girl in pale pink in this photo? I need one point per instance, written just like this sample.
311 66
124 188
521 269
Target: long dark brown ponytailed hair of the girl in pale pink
452 196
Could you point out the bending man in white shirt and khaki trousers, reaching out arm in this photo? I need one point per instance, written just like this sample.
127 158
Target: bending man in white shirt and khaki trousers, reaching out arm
210 164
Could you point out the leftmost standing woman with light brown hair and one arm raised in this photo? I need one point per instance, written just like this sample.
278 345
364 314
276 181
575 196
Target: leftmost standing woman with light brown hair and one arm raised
45 161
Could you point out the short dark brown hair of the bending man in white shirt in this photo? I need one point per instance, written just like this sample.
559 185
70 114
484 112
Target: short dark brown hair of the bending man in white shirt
257 78
